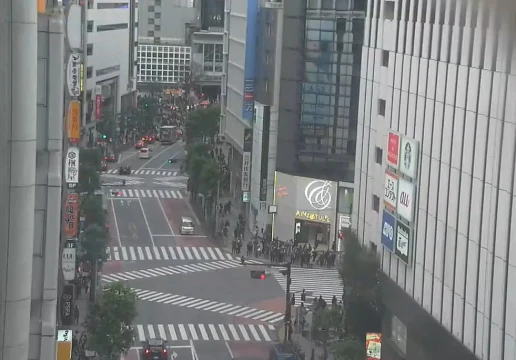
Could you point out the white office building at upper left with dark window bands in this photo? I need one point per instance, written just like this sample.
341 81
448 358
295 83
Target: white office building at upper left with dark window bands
111 55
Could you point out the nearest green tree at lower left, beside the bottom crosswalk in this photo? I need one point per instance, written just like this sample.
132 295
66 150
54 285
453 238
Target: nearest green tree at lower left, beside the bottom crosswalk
110 321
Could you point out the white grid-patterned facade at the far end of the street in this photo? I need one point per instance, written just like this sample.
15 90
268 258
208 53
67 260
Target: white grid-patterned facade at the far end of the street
164 64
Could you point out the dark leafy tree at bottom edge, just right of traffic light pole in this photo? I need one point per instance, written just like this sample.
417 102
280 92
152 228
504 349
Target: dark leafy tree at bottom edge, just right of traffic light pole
329 333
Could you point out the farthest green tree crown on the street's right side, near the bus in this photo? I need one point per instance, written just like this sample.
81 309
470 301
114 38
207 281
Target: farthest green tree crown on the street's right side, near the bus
202 123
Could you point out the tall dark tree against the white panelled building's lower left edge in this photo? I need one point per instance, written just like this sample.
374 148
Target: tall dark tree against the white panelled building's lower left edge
359 271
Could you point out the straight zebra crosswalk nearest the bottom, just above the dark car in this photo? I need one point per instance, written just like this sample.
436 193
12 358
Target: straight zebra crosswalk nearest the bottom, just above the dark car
207 332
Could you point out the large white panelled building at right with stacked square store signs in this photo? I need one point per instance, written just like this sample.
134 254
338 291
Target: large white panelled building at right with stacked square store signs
434 179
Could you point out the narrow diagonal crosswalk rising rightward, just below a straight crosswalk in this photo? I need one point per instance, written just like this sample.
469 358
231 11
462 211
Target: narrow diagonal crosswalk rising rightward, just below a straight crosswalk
170 270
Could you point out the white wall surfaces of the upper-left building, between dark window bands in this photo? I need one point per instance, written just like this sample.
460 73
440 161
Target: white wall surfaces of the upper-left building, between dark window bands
110 48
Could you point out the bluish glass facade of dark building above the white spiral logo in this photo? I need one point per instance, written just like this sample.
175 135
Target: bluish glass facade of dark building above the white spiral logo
330 89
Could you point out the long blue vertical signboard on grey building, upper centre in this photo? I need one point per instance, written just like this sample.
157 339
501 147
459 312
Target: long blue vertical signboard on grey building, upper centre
250 59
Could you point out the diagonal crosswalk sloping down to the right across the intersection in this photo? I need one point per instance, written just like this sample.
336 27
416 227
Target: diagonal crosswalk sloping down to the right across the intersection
207 305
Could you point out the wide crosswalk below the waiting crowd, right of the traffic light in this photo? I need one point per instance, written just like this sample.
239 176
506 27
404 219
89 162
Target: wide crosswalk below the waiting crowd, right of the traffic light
319 282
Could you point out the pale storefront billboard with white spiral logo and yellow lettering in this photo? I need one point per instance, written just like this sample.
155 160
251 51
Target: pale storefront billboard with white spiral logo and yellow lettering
303 198
